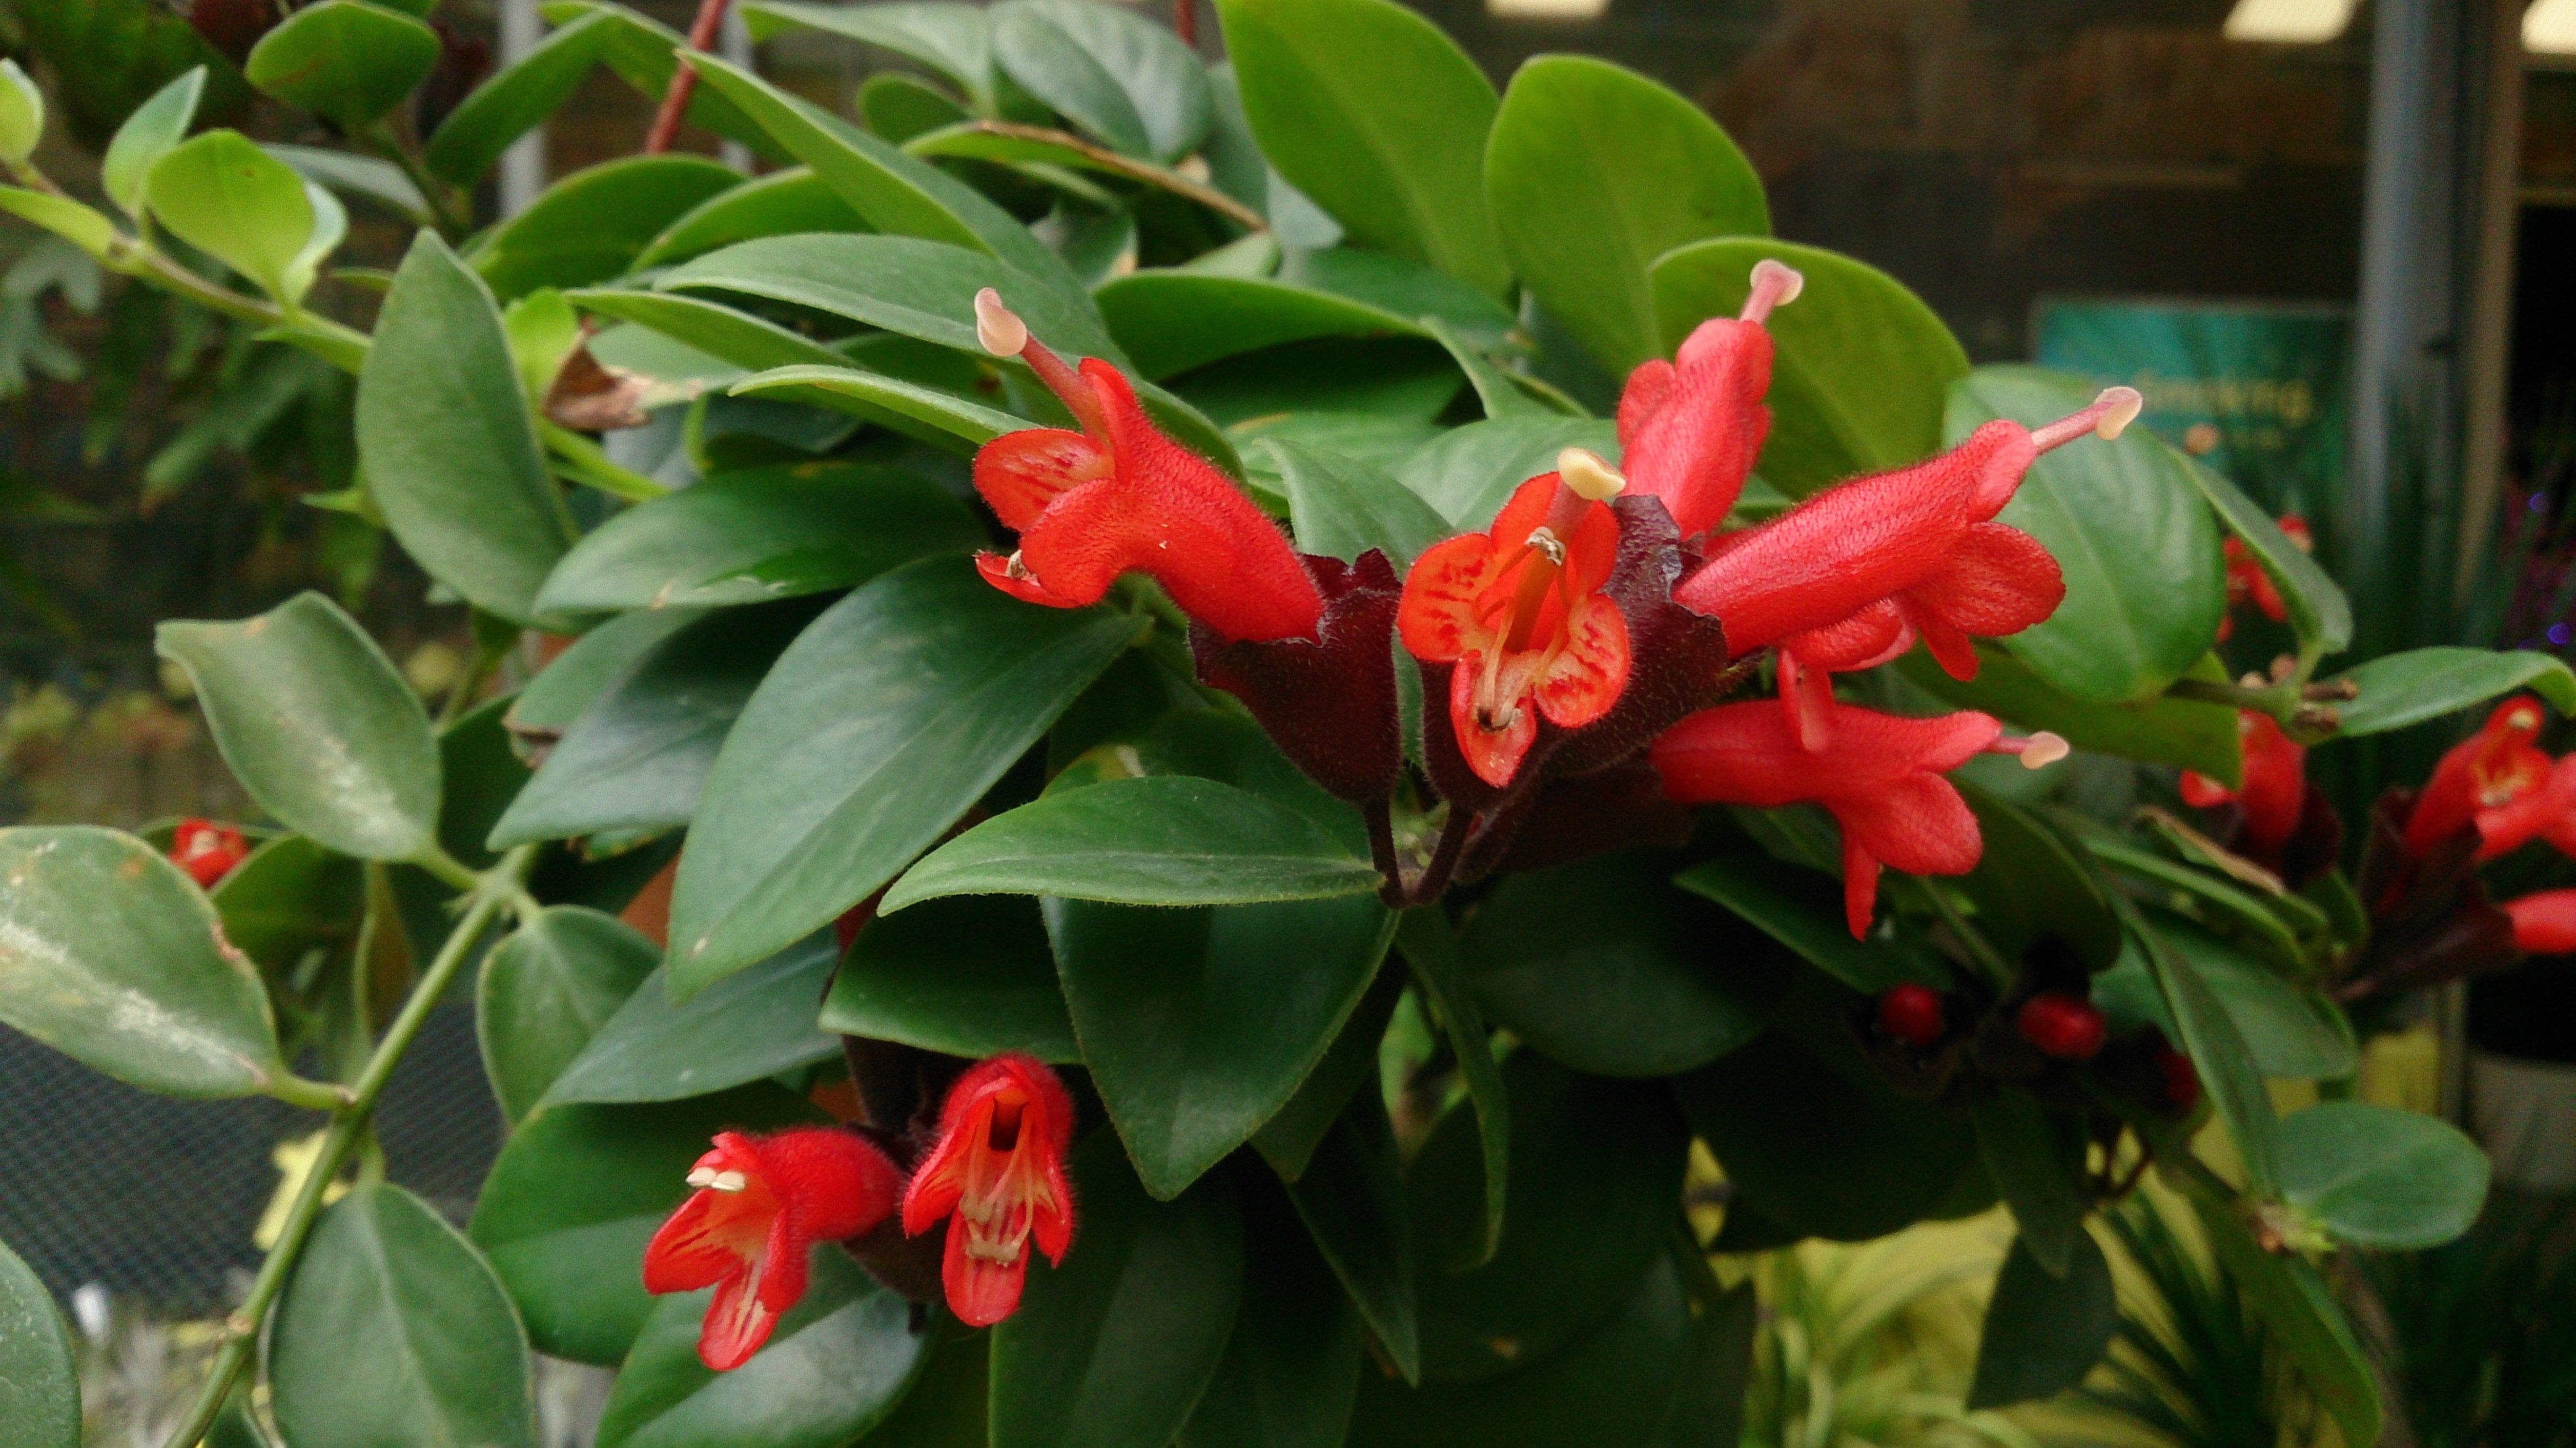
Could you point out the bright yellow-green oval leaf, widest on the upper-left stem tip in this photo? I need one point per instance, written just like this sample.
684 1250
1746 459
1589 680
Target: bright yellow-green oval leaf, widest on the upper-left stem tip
243 207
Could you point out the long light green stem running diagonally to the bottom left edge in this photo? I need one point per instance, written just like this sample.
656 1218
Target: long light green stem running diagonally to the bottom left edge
346 1132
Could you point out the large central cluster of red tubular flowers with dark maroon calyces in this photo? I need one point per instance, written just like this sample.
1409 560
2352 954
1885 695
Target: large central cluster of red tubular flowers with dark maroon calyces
1593 627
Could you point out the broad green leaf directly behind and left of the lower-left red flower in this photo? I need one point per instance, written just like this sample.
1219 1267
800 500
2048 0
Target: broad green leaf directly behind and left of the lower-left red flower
581 1189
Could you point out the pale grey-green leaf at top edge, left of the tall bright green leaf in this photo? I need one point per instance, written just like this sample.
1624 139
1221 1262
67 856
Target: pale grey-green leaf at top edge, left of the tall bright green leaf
1119 76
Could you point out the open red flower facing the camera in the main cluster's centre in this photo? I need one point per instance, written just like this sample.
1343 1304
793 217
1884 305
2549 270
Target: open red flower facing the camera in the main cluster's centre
1524 614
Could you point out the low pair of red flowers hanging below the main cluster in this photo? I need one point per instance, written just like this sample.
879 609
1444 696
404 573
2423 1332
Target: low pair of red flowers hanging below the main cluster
993 1179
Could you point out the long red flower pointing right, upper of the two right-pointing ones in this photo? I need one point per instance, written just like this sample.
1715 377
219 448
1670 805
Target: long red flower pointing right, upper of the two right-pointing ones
1856 573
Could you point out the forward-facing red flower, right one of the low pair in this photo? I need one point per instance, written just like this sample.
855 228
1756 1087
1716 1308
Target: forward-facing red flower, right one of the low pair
998 1179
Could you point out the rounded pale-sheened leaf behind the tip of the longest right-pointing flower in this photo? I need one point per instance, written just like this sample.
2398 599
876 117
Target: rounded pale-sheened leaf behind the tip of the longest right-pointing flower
2134 537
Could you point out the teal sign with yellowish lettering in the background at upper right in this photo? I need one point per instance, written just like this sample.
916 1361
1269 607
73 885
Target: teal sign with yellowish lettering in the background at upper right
2250 388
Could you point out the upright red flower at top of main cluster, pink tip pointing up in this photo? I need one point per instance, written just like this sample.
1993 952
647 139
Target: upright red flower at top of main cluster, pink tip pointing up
1691 429
